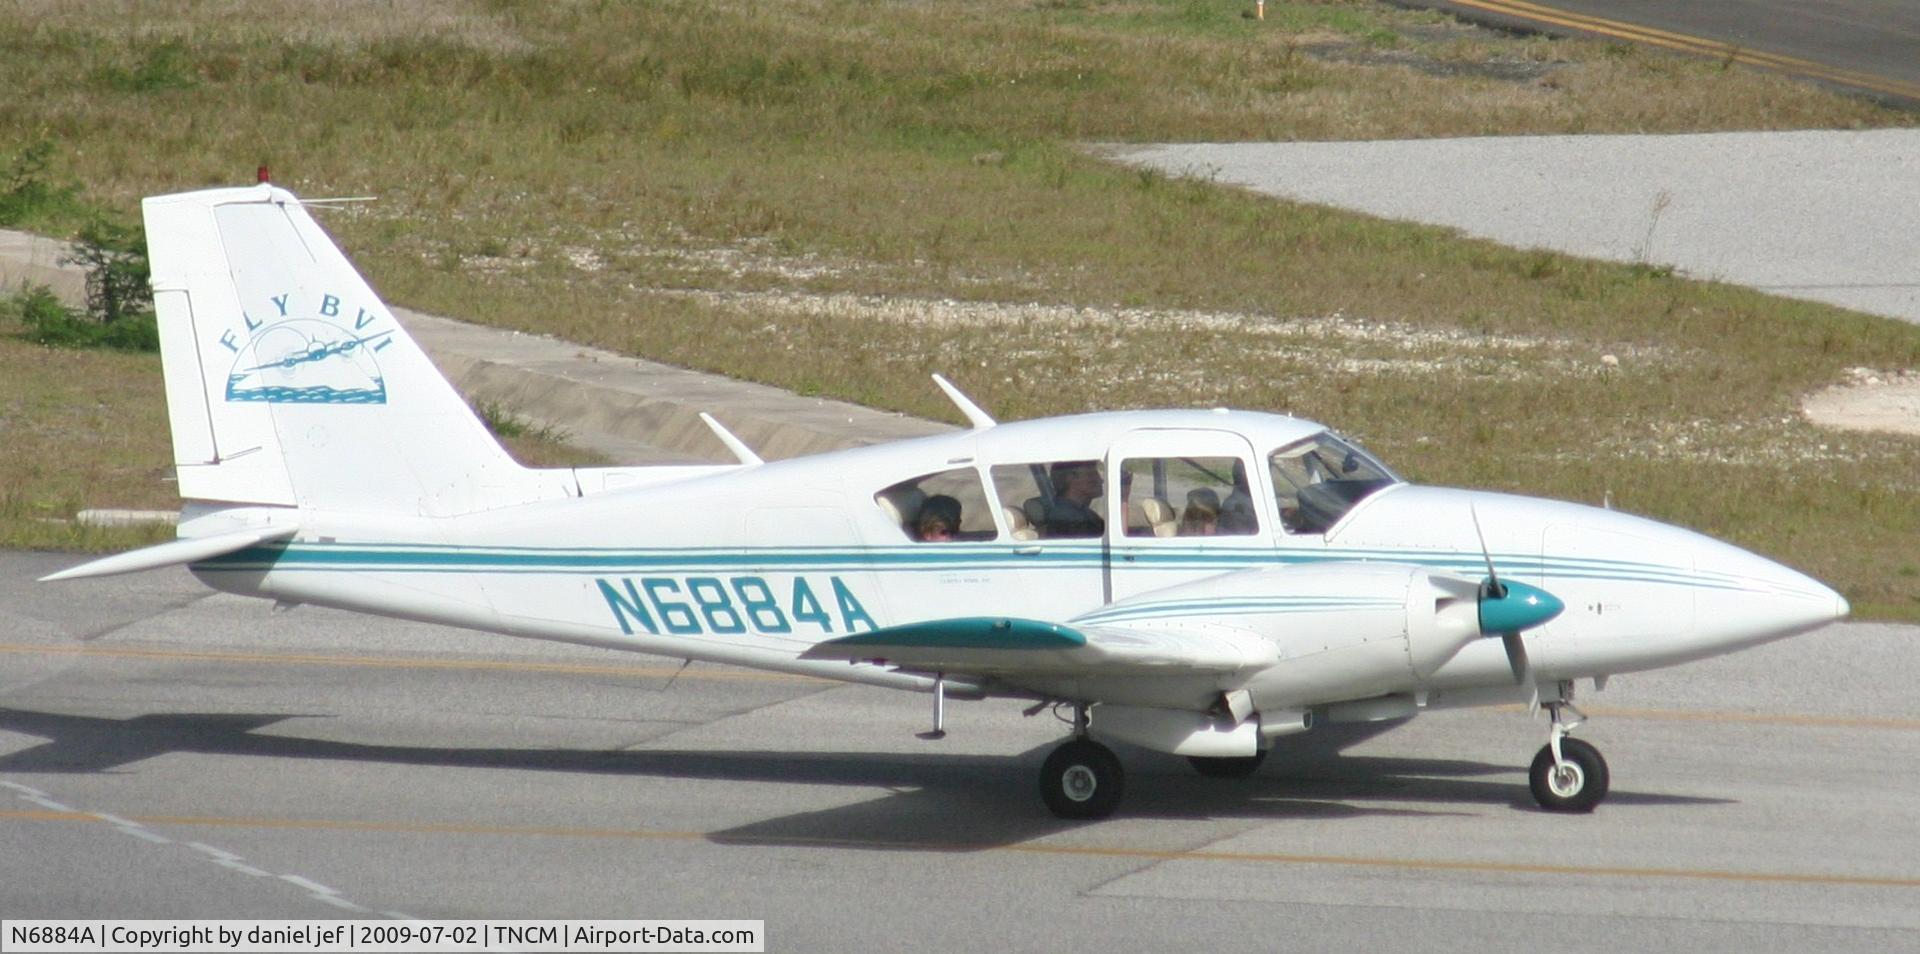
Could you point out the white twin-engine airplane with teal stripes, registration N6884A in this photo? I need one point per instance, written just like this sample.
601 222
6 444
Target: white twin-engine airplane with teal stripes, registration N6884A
1193 583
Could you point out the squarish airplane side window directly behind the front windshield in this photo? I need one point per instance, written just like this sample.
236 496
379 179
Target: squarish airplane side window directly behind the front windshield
1188 498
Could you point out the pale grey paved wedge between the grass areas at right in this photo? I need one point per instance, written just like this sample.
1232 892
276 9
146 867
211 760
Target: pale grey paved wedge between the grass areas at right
1823 216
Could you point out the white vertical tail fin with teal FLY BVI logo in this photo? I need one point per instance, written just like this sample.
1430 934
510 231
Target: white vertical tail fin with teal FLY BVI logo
289 381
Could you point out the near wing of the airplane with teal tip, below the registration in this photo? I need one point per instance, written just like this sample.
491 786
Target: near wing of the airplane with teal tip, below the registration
1005 646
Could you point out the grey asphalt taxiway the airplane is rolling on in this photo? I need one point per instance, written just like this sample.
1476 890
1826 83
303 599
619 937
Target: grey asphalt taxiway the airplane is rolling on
170 753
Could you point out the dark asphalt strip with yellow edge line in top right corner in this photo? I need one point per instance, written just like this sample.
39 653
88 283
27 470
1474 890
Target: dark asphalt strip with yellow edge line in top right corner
1863 45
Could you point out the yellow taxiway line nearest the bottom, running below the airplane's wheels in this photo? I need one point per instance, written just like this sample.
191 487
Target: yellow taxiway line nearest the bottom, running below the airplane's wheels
1044 849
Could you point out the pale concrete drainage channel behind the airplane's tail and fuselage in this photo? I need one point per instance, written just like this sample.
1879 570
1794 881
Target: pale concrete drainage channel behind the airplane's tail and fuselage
629 410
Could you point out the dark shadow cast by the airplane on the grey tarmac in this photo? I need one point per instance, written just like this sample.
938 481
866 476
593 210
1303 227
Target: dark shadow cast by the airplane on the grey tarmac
965 801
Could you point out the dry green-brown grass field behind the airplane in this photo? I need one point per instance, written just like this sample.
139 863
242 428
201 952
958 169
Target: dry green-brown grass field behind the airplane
842 197
